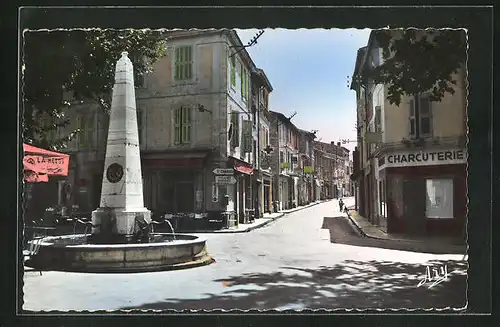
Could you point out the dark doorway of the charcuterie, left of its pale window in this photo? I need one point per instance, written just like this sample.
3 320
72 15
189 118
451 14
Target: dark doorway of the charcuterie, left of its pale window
414 206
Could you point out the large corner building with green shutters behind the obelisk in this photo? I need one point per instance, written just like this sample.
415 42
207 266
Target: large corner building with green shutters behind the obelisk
194 115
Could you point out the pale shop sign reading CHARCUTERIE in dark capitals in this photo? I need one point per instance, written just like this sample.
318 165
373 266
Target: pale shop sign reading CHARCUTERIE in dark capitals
424 158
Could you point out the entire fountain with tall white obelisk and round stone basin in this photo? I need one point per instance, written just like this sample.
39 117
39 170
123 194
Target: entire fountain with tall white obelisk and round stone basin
121 238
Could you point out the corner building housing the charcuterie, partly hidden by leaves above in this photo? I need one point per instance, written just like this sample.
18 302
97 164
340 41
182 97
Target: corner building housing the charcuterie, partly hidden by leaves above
412 157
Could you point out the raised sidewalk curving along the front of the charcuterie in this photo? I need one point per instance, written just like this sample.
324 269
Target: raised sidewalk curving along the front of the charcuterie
445 244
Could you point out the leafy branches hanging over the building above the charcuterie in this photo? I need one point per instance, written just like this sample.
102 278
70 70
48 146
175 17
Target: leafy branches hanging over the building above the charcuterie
418 61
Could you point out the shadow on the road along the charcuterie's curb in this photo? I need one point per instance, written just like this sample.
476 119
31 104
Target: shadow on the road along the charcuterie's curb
343 231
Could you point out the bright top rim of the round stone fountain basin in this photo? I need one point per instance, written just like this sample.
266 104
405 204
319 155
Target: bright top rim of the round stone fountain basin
198 239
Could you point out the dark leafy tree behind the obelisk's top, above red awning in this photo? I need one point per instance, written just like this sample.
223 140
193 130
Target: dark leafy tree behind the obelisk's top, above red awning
81 62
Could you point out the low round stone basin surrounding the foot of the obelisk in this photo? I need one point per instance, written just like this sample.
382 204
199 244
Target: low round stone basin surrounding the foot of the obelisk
73 253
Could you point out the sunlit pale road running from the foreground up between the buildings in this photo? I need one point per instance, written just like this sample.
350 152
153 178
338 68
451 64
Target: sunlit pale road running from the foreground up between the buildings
289 264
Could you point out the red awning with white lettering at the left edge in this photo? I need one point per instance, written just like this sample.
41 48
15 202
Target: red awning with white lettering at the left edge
39 164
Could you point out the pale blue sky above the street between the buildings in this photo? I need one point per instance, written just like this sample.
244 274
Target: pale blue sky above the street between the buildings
310 71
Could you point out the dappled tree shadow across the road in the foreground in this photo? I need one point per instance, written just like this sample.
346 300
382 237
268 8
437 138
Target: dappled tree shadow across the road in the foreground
350 285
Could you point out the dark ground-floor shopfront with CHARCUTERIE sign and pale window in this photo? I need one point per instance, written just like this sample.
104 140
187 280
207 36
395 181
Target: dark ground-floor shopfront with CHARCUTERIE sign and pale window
423 192
